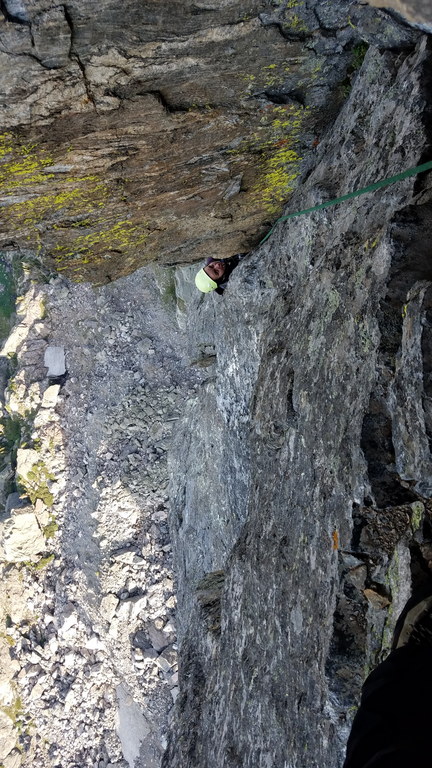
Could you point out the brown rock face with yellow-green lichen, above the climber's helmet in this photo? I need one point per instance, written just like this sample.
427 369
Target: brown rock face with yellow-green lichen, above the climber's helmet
155 131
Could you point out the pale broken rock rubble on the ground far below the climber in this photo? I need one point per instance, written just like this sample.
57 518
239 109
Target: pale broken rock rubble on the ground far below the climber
88 638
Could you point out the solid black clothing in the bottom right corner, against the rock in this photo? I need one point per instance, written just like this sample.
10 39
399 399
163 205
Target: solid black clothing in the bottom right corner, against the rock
392 728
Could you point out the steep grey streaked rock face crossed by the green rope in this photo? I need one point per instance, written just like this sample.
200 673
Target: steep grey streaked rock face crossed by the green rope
302 476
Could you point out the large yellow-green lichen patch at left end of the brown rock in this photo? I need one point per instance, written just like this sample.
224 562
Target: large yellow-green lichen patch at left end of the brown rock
70 220
